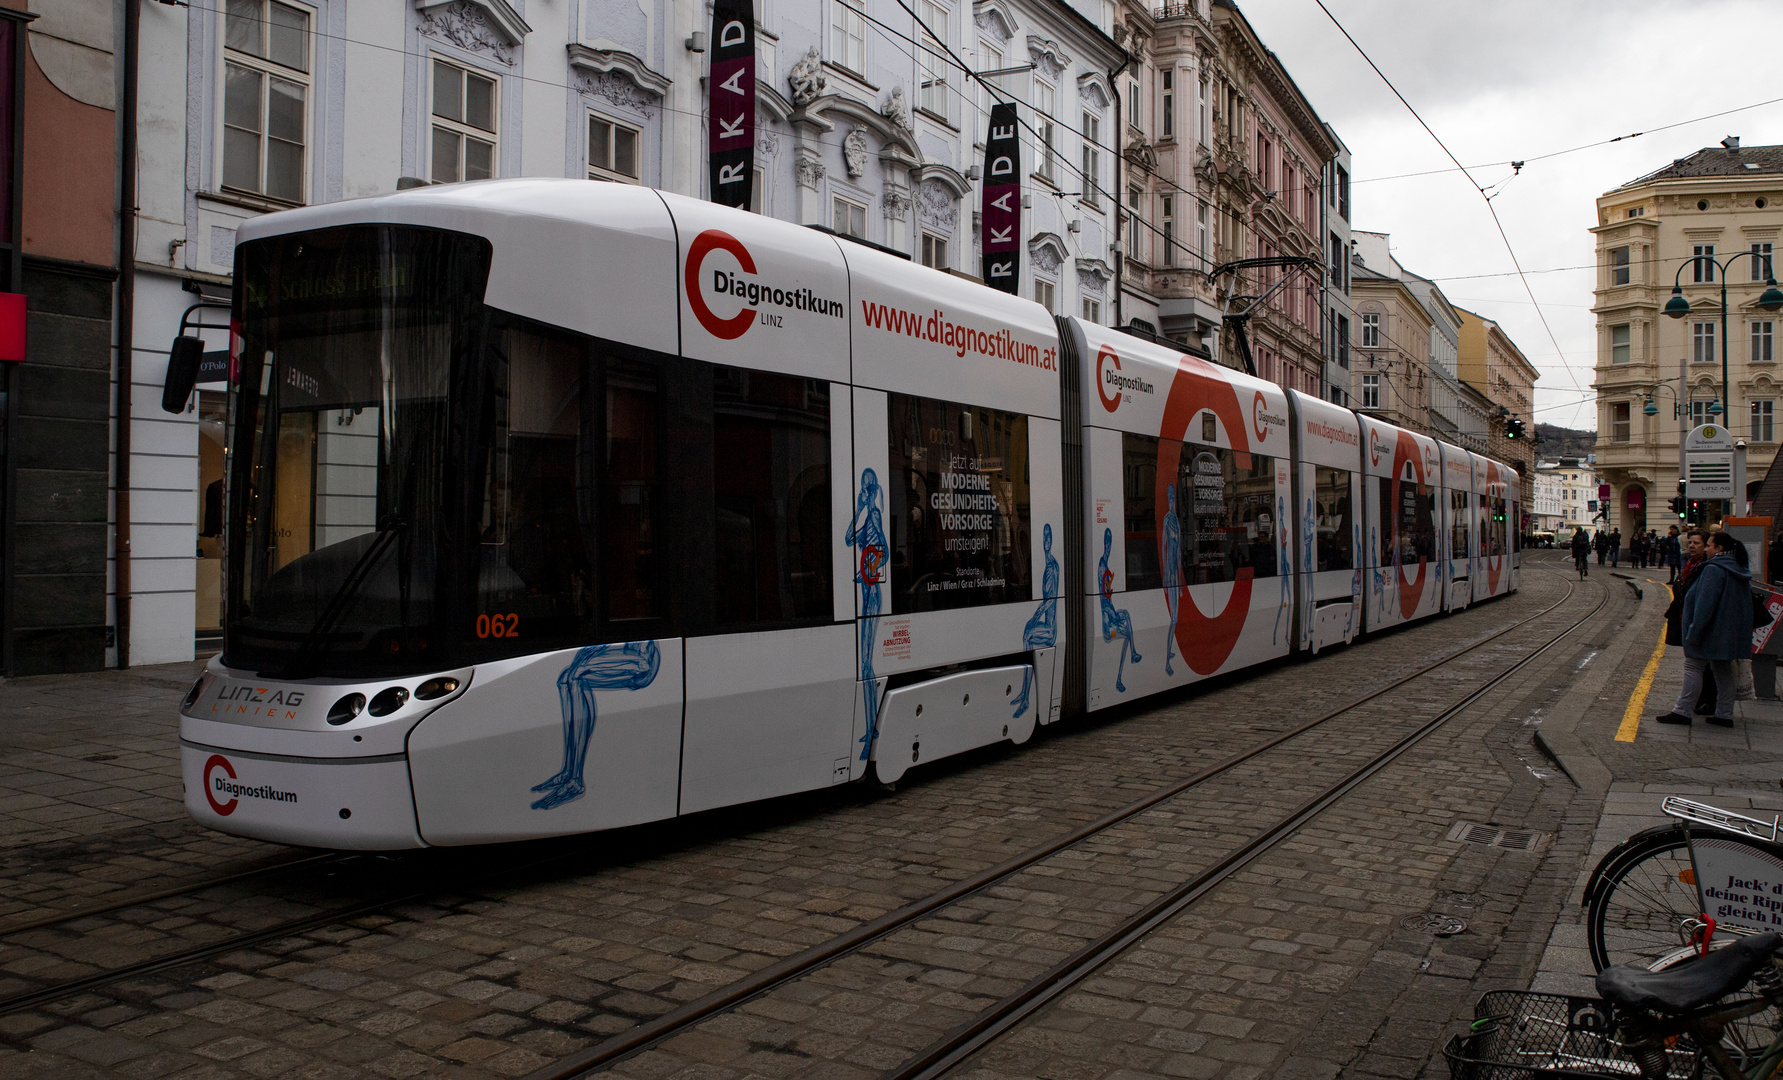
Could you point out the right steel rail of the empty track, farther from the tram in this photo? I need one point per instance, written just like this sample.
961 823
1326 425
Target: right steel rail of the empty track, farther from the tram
989 1026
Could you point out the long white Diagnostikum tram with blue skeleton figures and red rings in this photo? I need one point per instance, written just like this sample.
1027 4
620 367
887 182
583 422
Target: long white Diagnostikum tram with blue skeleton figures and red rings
563 507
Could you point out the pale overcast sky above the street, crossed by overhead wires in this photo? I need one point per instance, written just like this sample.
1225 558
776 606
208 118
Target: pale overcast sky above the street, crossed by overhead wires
1515 81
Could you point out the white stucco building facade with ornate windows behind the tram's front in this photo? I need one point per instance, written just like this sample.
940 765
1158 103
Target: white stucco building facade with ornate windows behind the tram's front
268 104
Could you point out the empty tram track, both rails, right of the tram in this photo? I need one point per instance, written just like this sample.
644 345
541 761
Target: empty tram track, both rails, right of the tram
1010 1011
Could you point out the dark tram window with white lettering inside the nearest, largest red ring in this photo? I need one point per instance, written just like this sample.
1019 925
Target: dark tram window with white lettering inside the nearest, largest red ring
1231 516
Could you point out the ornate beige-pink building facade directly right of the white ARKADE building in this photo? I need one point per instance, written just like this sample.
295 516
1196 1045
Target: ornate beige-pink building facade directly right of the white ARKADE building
1228 161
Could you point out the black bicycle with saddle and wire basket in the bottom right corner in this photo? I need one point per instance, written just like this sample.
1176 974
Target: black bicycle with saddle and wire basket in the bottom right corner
1647 1024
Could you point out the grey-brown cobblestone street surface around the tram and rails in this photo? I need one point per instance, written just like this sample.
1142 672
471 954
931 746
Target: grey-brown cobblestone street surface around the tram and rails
1310 961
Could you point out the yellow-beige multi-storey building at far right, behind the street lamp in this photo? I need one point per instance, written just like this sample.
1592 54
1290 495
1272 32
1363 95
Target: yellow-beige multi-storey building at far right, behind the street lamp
1716 204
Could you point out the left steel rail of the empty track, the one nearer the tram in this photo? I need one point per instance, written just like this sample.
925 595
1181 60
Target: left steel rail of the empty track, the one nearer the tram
652 1033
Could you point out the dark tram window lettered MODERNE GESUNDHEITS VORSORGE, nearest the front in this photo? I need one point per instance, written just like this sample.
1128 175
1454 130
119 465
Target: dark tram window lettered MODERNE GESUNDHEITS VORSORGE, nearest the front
960 505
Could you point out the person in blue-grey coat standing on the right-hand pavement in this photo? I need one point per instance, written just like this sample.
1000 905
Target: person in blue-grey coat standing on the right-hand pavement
1716 628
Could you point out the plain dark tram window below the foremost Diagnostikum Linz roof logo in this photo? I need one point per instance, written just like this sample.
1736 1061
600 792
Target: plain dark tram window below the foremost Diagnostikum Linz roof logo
771 480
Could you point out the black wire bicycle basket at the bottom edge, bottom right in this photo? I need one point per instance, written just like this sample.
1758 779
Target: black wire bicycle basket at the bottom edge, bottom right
1529 1036
